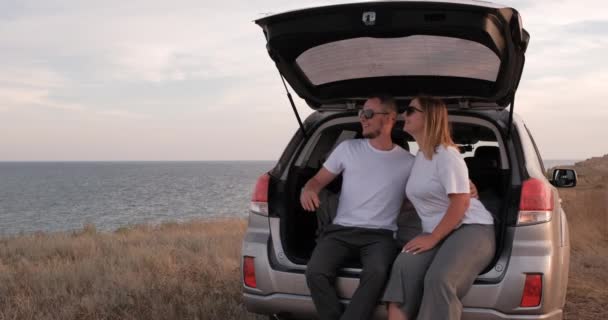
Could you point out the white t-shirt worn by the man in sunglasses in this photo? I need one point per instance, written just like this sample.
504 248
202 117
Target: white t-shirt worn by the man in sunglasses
372 183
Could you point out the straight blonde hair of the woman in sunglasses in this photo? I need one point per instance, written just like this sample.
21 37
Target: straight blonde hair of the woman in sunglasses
436 125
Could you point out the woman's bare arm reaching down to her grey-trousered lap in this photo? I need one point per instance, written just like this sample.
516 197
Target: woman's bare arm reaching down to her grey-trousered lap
459 203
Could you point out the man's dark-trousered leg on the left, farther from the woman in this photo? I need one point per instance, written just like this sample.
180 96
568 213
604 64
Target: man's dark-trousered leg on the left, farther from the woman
328 255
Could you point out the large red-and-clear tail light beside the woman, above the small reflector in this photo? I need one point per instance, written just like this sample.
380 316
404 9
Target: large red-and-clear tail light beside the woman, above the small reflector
536 202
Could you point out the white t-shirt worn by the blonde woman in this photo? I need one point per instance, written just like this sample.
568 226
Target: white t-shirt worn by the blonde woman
432 180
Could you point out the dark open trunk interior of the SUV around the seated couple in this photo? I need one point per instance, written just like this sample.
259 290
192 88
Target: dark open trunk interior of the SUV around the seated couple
482 154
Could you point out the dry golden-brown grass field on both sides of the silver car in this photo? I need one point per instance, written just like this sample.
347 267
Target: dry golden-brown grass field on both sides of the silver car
191 271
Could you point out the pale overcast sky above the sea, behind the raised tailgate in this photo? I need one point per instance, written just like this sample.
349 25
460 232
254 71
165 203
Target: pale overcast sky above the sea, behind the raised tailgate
191 80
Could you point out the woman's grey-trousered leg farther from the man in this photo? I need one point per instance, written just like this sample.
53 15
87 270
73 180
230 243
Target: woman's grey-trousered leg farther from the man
463 254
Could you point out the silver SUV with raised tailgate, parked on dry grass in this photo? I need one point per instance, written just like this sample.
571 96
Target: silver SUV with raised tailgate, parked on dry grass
469 53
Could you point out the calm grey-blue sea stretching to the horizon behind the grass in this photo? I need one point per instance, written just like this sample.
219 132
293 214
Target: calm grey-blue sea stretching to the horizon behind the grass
66 196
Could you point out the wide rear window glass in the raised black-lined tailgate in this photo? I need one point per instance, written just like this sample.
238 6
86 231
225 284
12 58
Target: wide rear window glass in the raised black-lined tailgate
407 56
